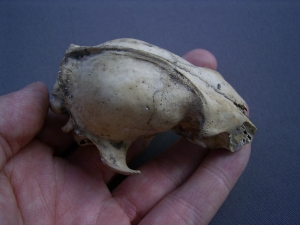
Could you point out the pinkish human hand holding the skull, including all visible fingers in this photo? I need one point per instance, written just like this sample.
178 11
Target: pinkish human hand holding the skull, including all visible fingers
186 184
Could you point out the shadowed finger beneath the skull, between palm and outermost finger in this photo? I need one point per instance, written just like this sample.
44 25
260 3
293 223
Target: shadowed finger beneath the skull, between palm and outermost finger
138 194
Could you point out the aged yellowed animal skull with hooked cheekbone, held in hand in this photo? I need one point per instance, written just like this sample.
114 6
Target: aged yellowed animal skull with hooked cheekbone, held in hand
124 89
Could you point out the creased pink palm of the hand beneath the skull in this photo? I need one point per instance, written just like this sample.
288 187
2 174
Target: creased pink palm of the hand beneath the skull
57 191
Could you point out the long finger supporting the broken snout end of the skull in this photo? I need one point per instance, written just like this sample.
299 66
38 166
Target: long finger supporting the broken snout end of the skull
197 201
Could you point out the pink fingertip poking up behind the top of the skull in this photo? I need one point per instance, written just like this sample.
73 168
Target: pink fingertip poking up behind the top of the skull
202 58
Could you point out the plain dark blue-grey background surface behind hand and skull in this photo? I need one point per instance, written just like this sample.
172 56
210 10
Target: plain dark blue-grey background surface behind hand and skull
256 43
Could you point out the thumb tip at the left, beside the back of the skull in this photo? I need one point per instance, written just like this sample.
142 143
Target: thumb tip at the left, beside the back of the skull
21 118
